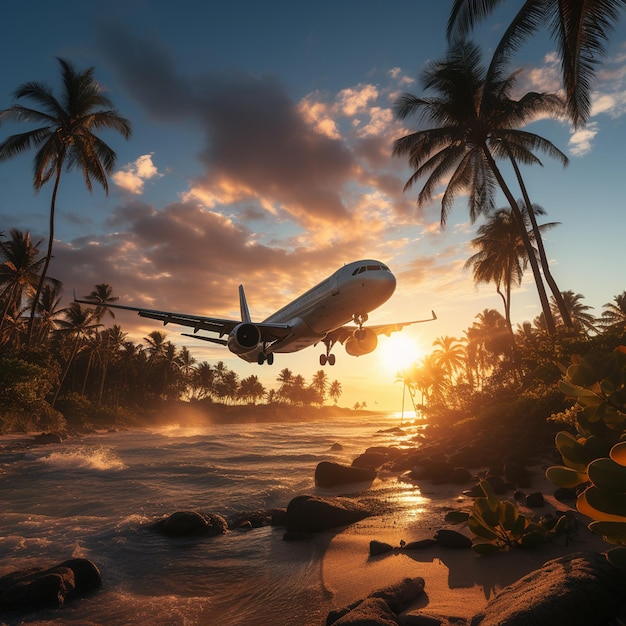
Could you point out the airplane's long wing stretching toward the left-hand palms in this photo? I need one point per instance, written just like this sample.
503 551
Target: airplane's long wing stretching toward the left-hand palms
269 332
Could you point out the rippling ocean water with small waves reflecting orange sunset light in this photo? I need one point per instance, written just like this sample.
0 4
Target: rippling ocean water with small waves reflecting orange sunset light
95 496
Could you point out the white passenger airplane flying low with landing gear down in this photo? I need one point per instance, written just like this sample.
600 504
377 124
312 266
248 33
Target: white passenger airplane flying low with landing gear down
321 314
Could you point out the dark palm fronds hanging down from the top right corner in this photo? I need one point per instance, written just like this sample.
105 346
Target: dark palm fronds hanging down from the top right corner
580 29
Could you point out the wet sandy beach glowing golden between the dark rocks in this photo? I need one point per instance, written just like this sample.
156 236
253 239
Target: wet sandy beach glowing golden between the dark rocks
459 583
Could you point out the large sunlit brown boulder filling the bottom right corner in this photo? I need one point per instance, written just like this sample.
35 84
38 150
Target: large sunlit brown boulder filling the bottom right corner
579 589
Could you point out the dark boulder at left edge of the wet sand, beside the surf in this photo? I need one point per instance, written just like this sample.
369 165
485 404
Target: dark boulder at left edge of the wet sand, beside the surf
314 513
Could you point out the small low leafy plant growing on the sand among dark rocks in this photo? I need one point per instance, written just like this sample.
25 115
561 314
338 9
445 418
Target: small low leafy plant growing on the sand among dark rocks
498 525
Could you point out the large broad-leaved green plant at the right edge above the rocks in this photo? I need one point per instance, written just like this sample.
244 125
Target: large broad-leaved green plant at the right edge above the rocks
596 458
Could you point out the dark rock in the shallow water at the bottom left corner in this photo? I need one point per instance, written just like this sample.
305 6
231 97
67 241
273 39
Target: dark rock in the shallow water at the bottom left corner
36 587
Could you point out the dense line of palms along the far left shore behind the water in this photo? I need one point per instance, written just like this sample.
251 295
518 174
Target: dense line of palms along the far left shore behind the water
75 359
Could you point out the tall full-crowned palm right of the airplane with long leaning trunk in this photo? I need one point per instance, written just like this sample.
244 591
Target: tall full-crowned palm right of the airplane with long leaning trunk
473 121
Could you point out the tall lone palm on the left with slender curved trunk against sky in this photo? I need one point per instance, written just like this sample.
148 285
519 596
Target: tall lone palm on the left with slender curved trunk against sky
65 138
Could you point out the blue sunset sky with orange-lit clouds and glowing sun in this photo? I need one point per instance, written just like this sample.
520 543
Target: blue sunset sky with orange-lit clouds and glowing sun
261 155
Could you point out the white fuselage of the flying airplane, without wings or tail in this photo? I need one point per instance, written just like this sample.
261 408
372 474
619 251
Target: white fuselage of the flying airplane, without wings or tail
350 293
